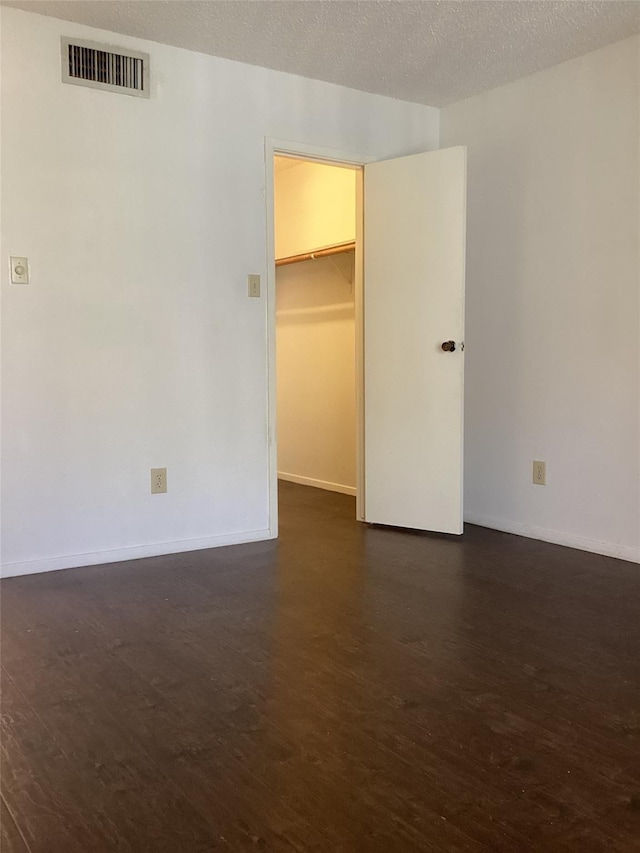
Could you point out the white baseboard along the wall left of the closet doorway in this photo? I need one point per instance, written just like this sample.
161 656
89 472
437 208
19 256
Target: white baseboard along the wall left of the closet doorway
135 552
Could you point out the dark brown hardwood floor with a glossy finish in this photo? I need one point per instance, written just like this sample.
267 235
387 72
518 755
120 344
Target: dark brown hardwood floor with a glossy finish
343 689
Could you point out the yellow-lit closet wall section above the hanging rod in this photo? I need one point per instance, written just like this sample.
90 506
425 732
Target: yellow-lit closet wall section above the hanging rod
314 207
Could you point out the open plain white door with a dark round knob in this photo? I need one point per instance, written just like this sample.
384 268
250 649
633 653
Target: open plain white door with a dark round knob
414 263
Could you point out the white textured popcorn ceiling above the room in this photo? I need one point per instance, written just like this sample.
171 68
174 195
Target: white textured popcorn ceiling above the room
429 52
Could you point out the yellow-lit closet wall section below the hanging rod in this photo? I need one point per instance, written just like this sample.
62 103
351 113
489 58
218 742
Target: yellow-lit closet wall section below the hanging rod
315 333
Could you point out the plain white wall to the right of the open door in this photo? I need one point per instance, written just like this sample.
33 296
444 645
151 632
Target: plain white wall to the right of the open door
552 367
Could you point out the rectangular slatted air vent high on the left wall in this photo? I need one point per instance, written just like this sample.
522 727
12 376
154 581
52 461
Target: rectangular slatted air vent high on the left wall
102 66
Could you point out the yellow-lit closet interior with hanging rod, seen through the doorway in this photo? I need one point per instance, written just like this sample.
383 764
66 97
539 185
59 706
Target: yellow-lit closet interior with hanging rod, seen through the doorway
315 232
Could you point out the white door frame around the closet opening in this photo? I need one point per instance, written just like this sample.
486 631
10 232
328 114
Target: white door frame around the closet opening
329 156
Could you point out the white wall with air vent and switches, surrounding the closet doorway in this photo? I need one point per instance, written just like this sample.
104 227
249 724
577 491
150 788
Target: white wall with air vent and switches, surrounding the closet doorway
136 345
